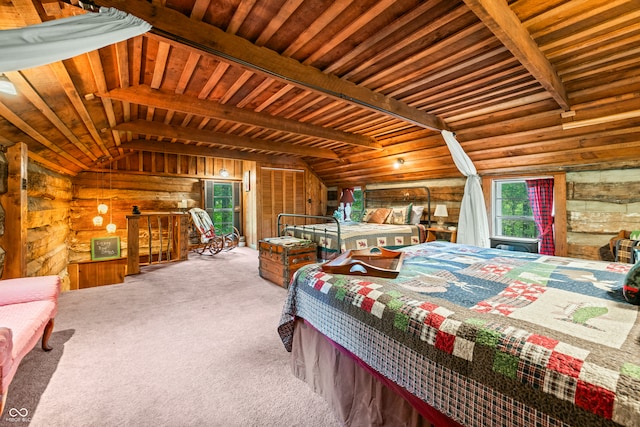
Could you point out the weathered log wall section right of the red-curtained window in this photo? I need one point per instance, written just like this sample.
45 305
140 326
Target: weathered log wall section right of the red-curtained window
599 205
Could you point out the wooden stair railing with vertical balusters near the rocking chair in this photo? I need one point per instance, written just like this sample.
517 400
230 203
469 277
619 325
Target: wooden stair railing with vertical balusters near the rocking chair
163 235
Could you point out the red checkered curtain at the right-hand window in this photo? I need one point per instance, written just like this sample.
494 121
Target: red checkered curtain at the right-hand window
541 199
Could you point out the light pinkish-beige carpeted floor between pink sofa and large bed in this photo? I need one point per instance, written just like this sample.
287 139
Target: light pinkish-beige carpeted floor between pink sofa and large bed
183 344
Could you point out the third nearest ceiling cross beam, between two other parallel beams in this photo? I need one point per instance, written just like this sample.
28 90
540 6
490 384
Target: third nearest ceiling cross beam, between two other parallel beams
162 130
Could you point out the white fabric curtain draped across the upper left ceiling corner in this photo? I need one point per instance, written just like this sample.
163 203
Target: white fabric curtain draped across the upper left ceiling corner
53 41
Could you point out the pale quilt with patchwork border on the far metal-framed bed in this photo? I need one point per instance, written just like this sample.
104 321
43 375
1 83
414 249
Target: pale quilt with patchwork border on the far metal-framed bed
356 235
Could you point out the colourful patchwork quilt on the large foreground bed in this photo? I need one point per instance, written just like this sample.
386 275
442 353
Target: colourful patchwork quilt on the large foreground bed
488 337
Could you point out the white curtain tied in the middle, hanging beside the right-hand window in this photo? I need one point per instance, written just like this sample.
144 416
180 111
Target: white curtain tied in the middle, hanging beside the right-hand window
473 225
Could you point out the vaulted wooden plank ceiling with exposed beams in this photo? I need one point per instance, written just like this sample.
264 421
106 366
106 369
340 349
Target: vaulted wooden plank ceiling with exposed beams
346 86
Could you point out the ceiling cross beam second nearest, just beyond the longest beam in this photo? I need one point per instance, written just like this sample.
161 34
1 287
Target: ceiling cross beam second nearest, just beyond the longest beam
144 95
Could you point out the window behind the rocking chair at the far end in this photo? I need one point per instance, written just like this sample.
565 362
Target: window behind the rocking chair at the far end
222 202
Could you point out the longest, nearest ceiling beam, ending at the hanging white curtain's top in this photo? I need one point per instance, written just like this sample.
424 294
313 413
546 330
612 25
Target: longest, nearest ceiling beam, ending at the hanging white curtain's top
207 38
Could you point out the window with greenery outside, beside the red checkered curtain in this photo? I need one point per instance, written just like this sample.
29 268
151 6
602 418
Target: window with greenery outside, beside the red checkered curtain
512 213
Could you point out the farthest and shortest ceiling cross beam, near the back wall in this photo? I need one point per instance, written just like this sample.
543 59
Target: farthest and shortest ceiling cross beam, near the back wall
199 150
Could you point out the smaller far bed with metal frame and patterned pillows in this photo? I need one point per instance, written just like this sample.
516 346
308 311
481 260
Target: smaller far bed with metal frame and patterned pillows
406 223
